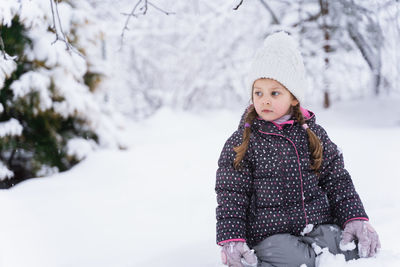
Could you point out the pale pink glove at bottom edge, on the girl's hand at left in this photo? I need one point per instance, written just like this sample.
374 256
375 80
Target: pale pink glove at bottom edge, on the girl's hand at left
233 251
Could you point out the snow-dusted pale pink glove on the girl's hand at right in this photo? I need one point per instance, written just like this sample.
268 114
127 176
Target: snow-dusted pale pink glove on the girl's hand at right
368 239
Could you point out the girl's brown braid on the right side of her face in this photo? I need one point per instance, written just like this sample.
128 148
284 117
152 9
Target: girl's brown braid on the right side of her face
315 147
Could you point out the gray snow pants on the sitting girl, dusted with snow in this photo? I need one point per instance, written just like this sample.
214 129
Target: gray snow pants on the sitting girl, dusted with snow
285 250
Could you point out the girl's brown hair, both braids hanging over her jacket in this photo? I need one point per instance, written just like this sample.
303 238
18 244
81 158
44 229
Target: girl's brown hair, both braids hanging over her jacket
315 146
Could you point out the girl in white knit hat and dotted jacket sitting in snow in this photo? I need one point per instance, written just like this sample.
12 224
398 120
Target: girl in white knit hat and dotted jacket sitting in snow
282 189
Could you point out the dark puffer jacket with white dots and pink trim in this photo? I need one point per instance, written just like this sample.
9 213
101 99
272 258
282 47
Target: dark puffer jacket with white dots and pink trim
275 190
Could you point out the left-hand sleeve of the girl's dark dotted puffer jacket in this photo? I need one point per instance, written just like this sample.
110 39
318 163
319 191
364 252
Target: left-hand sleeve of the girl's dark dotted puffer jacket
232 188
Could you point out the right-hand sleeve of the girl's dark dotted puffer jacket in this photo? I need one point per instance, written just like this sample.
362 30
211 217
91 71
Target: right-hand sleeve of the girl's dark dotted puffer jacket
335 180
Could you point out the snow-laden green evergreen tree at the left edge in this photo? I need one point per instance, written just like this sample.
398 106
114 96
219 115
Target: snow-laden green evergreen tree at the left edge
51 111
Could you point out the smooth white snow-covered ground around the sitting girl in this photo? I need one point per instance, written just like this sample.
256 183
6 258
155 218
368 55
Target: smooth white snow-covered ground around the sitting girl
154 204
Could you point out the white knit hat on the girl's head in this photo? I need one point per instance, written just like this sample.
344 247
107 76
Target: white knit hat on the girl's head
280 59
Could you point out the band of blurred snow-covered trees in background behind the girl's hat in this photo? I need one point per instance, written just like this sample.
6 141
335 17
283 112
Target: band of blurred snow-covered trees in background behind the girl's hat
197 57
